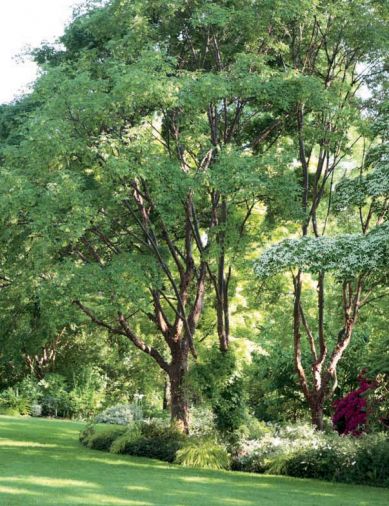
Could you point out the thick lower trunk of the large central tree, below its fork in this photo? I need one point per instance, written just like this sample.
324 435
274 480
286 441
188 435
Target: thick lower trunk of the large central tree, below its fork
178 399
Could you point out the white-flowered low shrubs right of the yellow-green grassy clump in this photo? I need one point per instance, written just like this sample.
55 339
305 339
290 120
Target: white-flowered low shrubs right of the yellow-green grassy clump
305 453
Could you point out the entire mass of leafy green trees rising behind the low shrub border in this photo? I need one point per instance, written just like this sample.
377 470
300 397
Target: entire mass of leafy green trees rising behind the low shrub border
194 206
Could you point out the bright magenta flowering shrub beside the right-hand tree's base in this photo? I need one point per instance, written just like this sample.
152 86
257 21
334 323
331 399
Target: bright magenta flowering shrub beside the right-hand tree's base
351 412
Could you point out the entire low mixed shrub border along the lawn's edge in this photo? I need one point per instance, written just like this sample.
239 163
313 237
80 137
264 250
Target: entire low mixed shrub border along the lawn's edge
298 451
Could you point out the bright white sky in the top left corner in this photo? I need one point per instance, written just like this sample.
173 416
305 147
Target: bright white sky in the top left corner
26 23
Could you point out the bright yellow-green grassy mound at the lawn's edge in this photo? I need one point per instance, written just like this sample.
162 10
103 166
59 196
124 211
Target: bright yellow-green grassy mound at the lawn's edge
205 454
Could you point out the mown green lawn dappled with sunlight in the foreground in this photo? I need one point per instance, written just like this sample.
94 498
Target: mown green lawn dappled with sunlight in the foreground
41 462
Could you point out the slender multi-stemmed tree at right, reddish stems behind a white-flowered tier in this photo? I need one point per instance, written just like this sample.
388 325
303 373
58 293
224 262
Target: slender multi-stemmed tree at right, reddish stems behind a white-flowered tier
330 46
